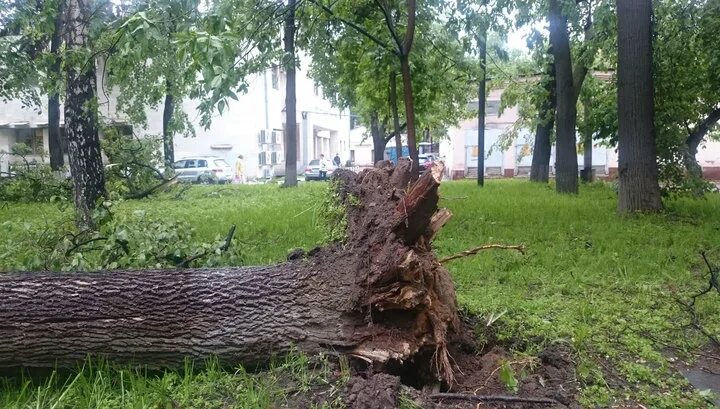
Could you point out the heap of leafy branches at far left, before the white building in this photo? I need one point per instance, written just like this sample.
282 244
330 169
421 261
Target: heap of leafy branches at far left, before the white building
29 181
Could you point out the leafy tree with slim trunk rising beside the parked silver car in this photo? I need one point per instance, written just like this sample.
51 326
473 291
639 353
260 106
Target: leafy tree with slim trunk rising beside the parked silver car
145 66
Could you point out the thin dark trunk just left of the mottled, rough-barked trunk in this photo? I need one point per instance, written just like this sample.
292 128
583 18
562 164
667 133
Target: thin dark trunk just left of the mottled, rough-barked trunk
55 142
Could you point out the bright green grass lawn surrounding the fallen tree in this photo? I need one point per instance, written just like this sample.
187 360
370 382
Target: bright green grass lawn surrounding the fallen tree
605 285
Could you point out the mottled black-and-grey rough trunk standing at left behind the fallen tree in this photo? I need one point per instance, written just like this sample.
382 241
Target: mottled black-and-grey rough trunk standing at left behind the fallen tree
81 118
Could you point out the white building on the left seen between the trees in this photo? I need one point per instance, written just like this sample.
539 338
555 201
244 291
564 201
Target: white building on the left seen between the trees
253 126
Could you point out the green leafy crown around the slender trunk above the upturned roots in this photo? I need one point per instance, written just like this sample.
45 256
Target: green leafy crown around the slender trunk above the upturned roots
356 74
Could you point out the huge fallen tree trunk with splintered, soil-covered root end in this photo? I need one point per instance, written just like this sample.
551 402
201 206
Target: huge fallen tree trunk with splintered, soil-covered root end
381 295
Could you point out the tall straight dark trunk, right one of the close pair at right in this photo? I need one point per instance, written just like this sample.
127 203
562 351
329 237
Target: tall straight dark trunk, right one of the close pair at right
566 148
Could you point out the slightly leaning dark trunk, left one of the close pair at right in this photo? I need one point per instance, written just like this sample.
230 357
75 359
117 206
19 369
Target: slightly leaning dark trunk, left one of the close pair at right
540 168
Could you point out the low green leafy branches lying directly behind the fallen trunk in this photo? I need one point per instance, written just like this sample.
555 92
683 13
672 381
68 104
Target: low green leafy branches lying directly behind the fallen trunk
122 241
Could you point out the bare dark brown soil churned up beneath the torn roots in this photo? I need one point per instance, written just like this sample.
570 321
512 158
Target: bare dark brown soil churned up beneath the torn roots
549 375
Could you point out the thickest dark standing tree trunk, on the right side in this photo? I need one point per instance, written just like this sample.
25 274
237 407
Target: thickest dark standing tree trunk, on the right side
637 166
